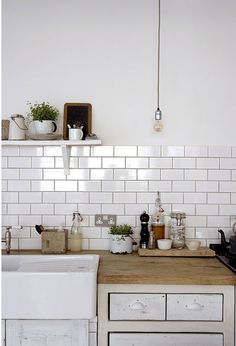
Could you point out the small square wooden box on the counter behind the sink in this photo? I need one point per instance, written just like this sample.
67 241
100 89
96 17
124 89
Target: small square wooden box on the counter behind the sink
54 242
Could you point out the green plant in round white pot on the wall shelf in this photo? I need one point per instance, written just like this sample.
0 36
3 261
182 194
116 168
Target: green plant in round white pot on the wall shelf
44 116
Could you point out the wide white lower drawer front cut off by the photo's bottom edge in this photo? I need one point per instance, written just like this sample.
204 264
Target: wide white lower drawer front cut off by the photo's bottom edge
160 339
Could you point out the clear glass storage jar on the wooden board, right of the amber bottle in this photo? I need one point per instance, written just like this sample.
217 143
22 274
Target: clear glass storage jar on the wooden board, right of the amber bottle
177 229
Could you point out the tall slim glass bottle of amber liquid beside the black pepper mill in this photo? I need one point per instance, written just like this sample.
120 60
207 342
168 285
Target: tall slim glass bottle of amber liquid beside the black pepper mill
158 224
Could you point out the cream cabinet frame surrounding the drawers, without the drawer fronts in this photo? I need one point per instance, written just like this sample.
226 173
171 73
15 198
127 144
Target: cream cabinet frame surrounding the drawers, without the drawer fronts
105 326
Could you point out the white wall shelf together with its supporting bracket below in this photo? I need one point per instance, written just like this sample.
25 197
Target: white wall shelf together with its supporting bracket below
64 144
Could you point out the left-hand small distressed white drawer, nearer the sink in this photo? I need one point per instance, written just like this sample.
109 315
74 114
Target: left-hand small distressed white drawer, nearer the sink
141 306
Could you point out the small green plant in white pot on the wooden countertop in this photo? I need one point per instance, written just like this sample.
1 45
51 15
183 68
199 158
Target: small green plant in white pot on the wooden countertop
121 241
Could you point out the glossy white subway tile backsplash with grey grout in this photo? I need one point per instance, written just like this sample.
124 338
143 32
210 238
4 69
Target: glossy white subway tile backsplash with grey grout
120 180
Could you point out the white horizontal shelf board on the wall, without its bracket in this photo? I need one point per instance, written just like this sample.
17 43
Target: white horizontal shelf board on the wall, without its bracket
53 142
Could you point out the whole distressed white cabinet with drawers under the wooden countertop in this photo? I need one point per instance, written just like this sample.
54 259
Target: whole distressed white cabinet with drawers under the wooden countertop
165 315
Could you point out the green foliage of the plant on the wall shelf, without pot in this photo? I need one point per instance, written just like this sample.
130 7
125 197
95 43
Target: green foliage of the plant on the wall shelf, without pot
43 111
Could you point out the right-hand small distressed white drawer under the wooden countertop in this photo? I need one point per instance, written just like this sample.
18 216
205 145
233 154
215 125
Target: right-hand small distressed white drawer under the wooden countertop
197 307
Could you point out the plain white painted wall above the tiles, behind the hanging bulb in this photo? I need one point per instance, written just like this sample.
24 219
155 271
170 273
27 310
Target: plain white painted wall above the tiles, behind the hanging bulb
104 52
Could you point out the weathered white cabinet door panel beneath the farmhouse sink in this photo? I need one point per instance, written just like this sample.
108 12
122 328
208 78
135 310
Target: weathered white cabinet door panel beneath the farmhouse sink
46 333
